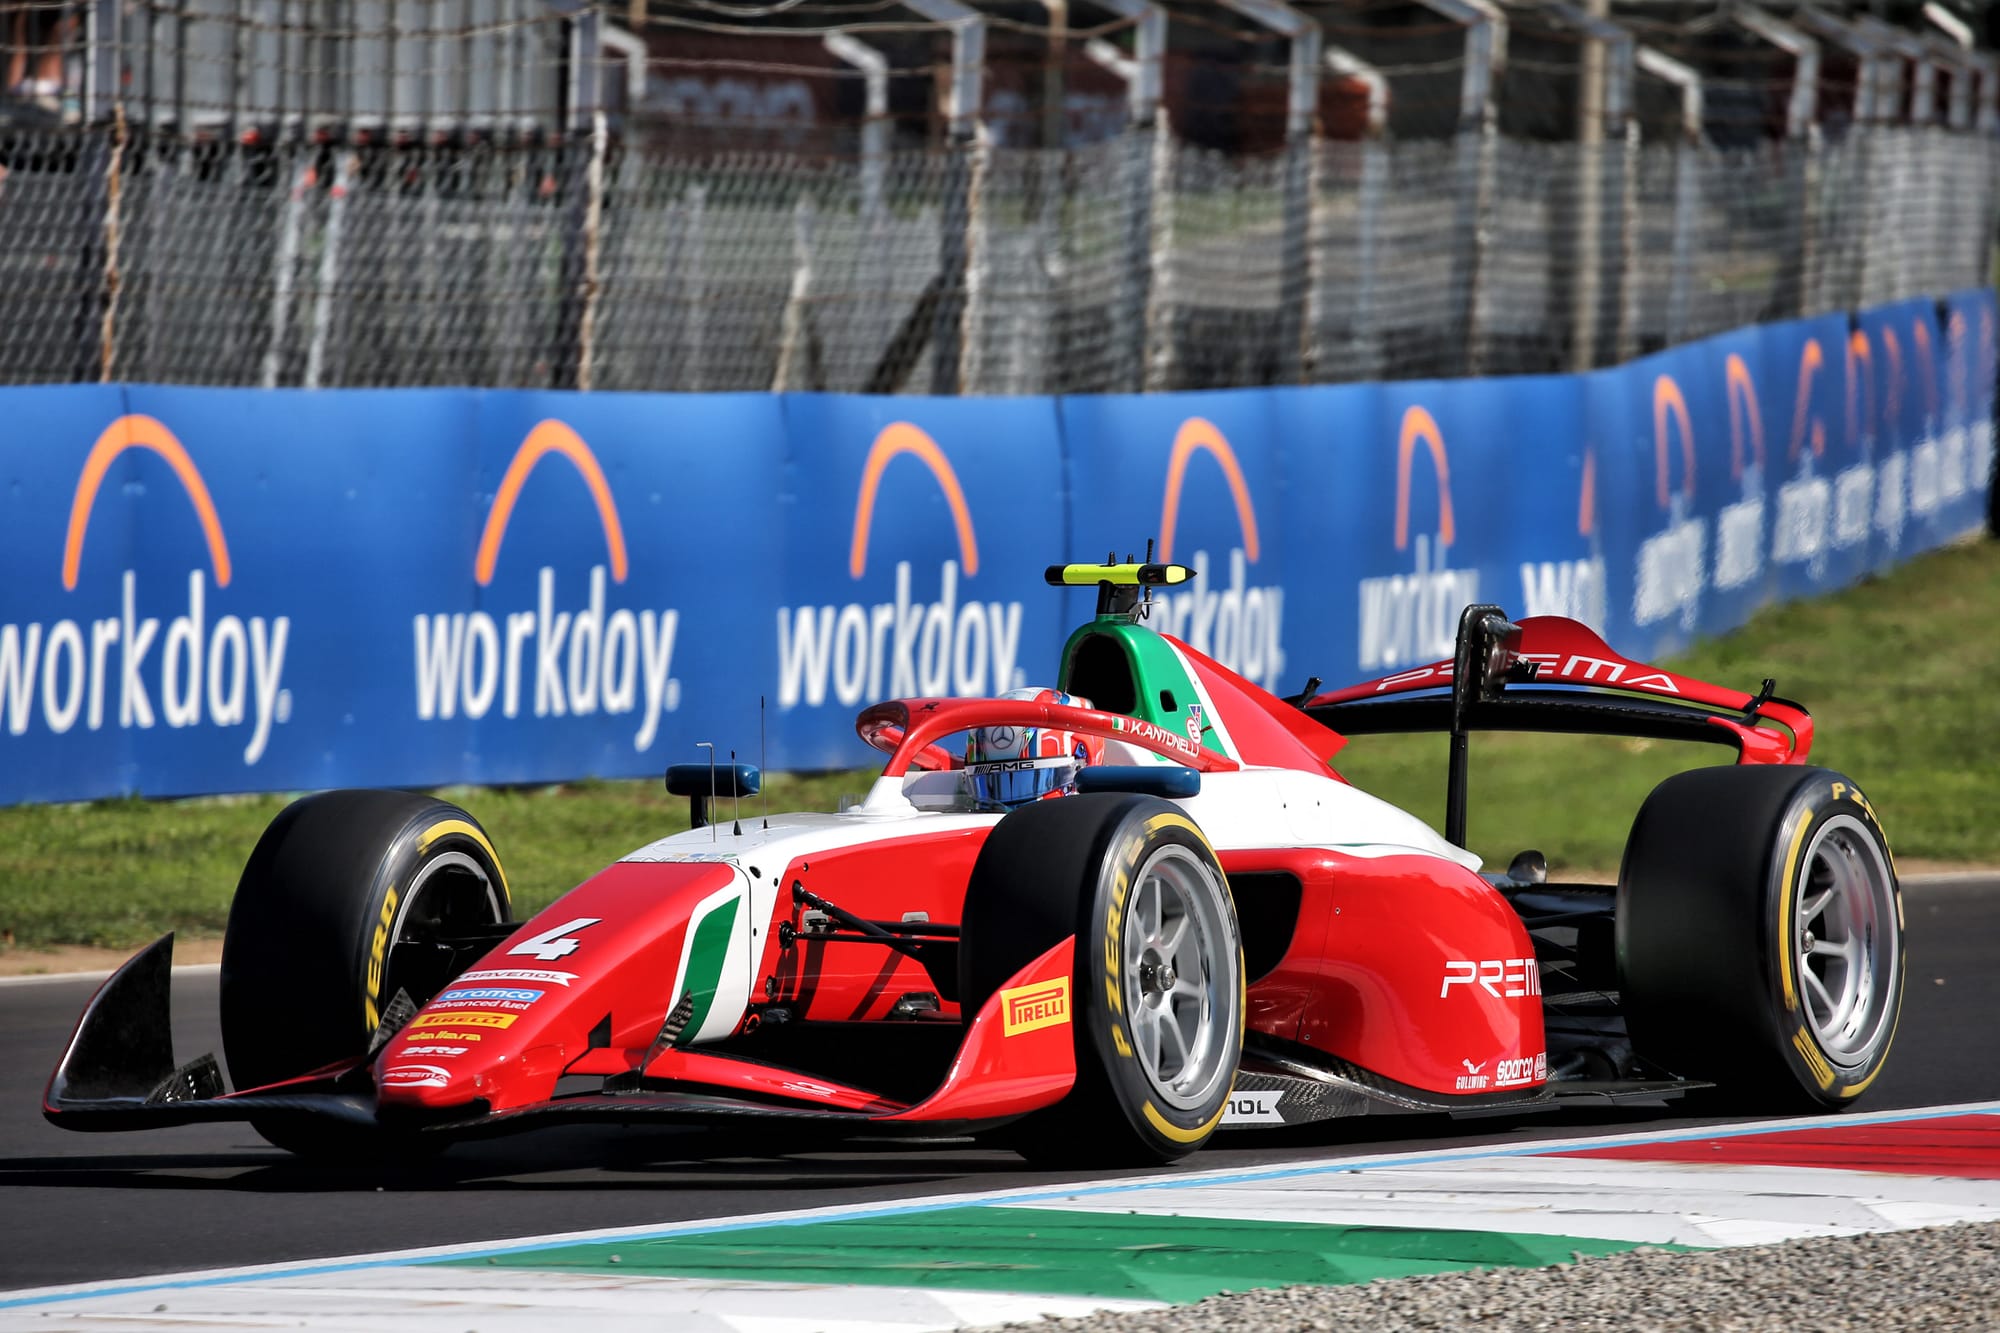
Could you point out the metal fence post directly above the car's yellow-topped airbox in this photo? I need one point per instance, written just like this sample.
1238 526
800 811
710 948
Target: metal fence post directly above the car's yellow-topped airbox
1143 113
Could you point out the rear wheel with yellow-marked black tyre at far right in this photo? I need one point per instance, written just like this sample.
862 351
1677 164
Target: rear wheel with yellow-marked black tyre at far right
1761 936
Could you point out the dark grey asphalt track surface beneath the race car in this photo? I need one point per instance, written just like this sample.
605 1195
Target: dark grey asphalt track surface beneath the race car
79 1208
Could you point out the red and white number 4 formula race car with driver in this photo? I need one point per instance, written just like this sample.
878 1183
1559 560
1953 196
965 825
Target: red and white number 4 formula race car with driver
1205 926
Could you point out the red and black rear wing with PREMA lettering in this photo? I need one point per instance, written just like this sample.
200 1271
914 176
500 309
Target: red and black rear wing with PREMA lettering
1549 674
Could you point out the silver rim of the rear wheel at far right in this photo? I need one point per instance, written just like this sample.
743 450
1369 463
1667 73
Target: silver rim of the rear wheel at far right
1845 942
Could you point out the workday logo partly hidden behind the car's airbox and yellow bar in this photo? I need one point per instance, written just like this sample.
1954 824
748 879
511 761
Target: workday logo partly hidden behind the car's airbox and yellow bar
1241 625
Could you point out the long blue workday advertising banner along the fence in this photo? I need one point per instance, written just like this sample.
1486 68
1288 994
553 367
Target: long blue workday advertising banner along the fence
281 589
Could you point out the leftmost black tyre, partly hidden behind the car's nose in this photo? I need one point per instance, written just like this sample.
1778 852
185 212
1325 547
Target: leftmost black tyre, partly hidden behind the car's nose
331 922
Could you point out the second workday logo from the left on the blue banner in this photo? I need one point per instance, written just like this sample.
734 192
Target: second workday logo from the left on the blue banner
581 661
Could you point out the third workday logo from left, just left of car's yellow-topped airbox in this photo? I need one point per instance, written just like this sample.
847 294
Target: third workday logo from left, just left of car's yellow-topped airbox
903 647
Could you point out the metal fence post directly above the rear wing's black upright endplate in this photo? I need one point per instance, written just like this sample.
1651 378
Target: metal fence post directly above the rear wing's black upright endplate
1479 131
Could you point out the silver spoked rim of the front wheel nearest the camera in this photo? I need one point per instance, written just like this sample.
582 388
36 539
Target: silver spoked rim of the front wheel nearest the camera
1179 978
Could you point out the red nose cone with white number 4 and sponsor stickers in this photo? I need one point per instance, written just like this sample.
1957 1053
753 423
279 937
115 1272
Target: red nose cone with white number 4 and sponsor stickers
613 956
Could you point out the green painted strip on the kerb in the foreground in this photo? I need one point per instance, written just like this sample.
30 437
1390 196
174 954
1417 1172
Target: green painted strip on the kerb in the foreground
1049 1252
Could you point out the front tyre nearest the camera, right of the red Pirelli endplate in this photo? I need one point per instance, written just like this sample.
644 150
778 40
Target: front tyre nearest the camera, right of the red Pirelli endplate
1159 988
